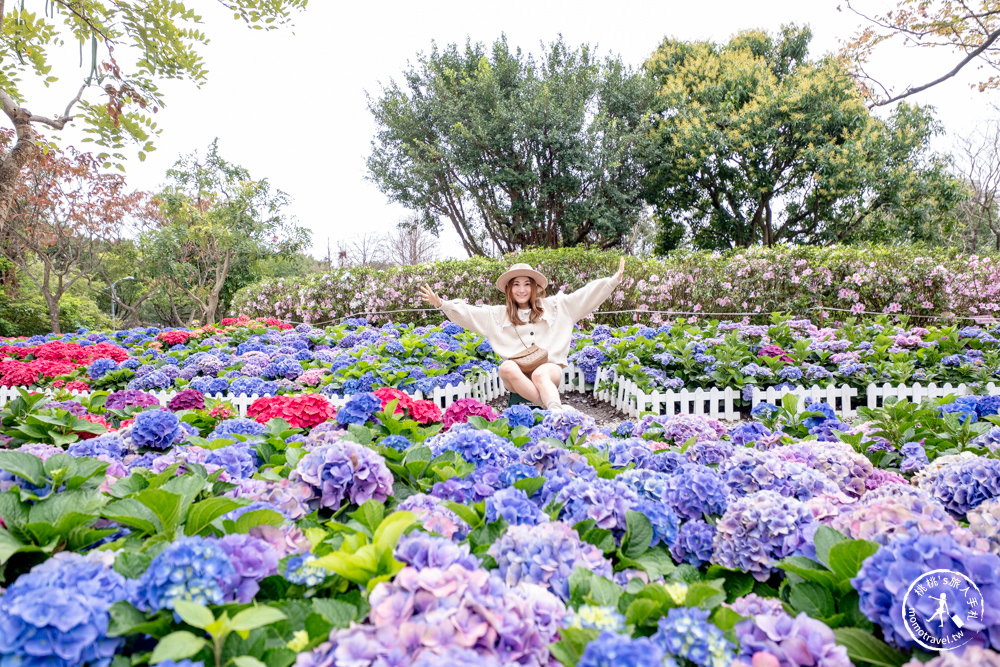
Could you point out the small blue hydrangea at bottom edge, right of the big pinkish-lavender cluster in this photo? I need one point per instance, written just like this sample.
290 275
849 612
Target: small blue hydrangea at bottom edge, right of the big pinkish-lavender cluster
686 633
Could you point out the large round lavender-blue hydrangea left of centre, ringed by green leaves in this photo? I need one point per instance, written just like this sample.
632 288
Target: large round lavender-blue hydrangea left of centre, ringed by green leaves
344 470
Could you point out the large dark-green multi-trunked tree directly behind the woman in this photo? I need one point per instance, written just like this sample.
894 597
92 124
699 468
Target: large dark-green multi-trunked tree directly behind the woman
514 152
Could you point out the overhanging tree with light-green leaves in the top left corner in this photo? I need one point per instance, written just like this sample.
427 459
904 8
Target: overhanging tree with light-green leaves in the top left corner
134 45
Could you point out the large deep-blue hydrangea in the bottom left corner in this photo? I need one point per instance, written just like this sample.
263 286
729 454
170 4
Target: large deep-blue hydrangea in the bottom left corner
57 614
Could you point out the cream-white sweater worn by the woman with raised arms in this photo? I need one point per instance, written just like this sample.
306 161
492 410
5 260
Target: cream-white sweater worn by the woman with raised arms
552 331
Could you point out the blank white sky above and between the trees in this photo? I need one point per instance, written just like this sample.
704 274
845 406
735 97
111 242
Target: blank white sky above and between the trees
290 105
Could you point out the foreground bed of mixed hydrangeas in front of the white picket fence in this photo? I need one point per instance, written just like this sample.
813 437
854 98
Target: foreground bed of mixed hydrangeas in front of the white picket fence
387 533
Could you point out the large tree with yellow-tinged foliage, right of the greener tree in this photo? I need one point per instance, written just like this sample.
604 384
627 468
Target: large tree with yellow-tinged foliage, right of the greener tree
753 143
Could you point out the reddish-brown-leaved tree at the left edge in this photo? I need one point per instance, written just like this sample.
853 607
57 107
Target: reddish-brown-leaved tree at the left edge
67 212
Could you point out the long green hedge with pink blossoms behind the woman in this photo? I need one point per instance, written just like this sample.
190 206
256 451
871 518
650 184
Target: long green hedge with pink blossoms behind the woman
807 281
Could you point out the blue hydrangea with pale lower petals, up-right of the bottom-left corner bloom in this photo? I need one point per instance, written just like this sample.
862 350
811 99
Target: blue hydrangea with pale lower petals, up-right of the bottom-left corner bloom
194 569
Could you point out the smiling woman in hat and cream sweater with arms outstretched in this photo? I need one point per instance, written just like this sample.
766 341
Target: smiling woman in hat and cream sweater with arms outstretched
529 318
